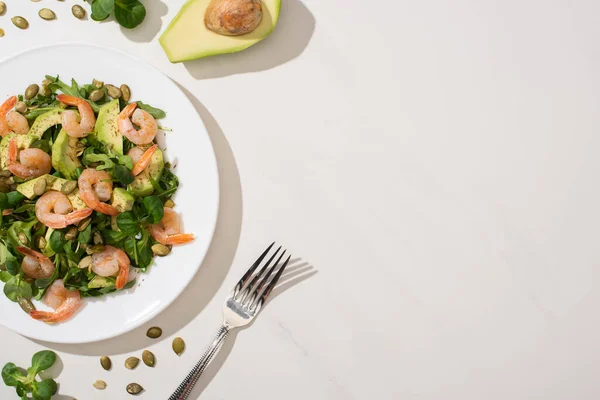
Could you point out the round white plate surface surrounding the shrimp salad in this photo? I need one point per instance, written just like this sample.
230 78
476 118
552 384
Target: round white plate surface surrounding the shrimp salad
188 147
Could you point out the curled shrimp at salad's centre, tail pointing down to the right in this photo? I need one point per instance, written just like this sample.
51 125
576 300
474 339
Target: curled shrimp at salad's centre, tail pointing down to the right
94 188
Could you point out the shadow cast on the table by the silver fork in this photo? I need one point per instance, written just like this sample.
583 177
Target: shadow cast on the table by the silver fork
296 272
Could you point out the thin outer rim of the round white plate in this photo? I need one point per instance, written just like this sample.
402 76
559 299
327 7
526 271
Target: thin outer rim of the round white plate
216 207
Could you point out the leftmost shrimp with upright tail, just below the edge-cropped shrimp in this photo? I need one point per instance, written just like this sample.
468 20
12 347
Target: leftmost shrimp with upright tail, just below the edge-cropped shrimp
32 162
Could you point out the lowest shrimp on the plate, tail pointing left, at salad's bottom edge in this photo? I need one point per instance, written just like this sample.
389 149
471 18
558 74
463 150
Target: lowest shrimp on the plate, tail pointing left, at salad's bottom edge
64 302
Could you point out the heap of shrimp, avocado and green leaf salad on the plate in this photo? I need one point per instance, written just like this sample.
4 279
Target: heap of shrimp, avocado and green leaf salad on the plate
85 194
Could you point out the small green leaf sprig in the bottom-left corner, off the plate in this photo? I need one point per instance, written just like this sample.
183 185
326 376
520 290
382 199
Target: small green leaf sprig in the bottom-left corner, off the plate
25 382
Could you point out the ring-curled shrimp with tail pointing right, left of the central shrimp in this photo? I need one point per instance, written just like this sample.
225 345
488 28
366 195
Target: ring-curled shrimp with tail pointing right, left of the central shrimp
55 211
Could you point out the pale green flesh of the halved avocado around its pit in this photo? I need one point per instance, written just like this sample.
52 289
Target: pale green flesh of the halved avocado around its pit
188 38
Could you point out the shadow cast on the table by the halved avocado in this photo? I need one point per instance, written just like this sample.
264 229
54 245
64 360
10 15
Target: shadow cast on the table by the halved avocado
289 39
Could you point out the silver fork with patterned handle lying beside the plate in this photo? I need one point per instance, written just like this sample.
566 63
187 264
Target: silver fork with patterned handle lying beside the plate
243 304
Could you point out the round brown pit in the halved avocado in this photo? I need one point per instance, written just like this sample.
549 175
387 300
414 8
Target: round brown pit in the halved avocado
233 17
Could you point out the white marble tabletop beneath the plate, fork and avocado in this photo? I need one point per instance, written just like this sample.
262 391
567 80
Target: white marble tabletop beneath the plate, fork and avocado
434 163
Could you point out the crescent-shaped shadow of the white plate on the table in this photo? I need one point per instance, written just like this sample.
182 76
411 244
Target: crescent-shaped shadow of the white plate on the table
211 273
